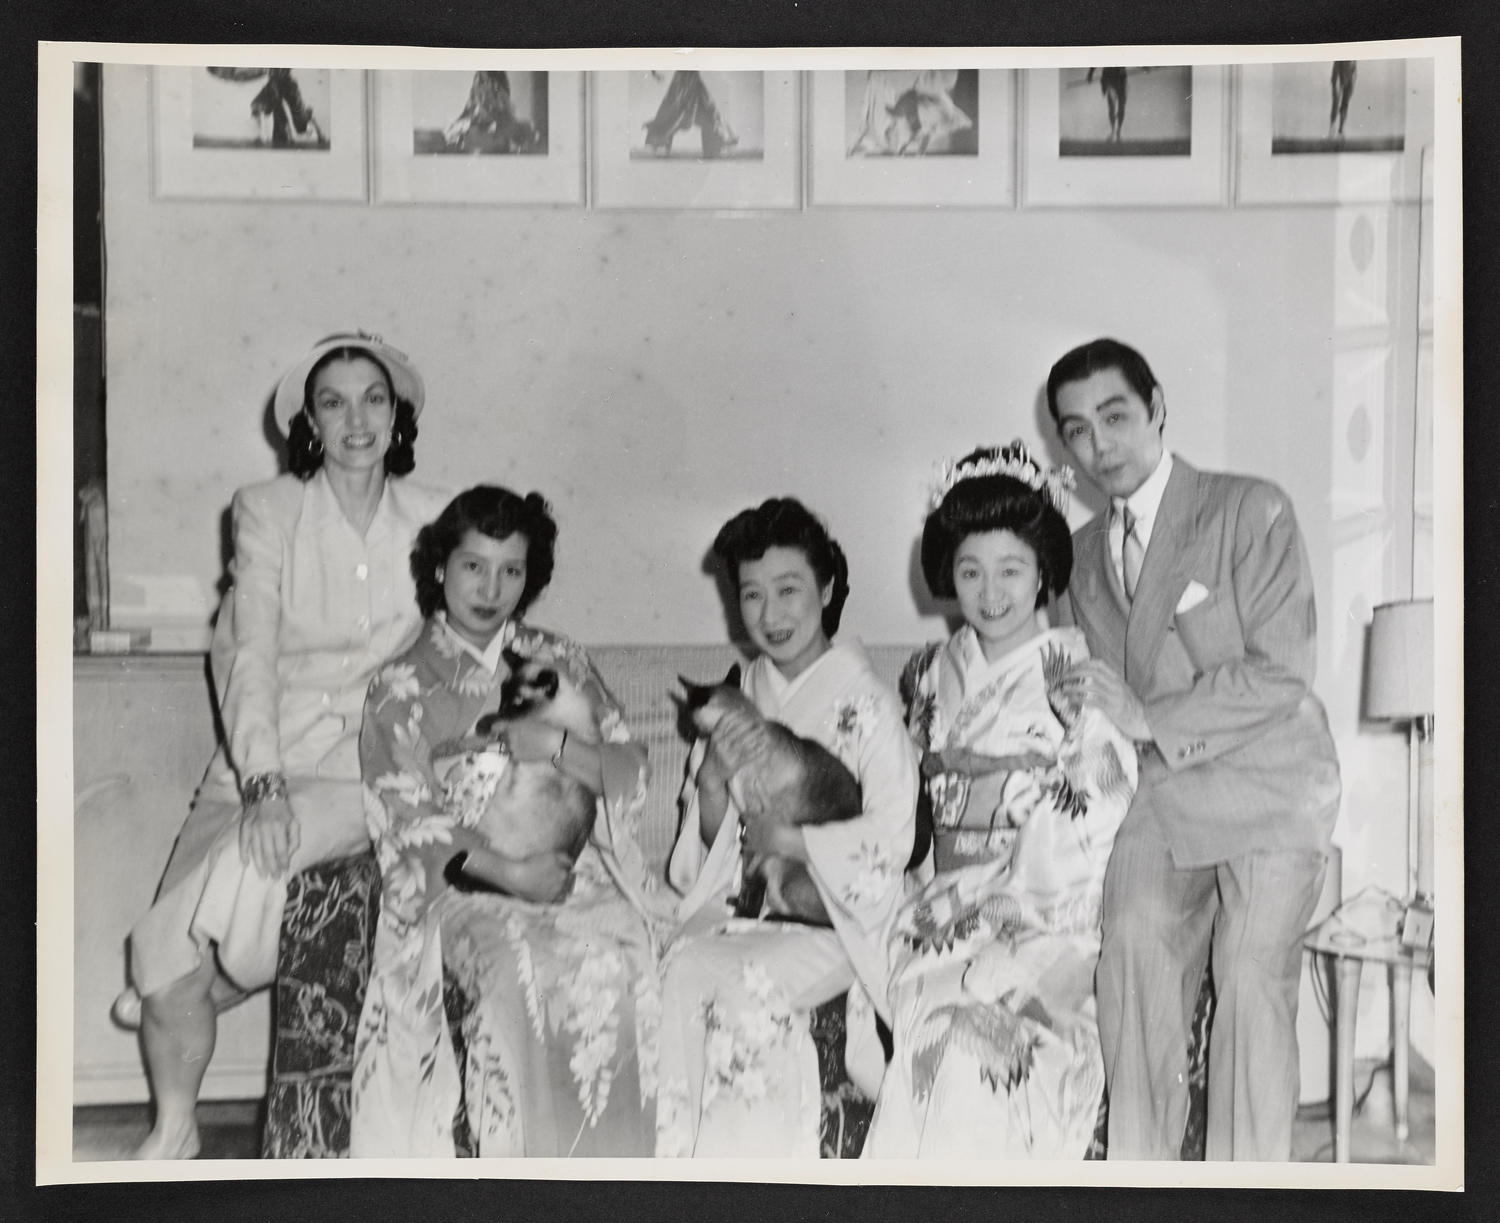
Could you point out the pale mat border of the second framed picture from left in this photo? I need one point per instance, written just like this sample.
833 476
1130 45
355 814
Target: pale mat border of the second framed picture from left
403 178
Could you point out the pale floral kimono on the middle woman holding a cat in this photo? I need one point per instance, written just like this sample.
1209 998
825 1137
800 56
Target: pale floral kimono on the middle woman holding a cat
739 1065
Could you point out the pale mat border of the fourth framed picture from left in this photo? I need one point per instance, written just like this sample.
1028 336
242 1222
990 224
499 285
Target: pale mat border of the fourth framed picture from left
986 181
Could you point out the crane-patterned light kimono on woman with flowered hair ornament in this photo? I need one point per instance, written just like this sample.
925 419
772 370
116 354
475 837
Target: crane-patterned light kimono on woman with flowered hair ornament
992 964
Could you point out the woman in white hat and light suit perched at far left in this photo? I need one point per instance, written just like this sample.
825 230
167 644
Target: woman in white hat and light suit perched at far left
323 595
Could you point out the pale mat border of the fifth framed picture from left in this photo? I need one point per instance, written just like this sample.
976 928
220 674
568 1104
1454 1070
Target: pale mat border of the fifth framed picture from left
1199 179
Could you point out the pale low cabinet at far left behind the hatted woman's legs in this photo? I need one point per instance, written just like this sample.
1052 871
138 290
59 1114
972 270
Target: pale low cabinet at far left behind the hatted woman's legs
143 735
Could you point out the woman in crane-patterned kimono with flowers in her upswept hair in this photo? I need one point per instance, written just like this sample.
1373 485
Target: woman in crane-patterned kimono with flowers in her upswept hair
997 1048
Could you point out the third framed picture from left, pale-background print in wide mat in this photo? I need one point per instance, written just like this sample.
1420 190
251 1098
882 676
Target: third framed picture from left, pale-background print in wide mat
695 140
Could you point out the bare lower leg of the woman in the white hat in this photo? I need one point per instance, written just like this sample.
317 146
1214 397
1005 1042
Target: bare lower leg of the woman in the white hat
178 1033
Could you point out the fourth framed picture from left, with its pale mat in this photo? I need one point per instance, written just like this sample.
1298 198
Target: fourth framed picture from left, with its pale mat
913 137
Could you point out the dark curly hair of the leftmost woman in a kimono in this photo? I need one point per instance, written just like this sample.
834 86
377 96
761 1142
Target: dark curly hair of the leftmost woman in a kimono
499 514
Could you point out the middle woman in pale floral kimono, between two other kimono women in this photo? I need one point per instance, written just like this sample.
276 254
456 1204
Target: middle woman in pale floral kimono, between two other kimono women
739 1065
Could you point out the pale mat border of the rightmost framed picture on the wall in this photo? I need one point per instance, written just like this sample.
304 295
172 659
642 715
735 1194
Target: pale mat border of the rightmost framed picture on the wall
1265 178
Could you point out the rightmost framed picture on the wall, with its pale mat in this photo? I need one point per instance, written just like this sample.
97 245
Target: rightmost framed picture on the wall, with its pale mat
1334 131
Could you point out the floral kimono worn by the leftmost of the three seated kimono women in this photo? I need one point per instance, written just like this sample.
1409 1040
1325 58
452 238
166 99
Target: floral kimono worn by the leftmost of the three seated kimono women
559 1000
